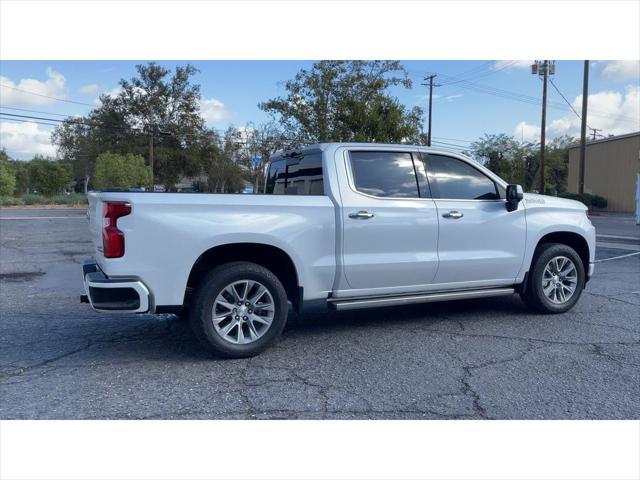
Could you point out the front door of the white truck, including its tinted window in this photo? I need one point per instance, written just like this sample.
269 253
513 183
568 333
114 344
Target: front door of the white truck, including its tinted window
479 240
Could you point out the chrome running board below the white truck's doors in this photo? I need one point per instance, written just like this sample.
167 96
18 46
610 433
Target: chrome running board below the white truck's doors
352 303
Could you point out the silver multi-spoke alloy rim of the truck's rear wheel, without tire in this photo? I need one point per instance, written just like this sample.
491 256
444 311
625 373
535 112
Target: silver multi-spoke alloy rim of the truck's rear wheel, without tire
243 311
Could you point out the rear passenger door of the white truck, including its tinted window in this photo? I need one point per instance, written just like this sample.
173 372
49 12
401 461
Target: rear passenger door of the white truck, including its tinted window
397 246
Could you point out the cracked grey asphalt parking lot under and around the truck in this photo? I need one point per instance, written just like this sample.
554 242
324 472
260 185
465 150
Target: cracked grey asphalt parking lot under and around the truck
488 358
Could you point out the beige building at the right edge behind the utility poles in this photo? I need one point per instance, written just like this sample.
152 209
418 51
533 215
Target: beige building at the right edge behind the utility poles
611 171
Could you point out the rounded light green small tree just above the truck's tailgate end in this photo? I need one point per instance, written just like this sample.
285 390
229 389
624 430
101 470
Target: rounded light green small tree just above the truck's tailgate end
113 170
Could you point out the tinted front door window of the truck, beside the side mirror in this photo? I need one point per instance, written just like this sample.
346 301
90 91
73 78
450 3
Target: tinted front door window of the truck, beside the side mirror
453 178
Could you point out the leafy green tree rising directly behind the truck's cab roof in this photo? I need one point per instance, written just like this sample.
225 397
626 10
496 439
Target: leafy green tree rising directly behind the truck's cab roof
346 101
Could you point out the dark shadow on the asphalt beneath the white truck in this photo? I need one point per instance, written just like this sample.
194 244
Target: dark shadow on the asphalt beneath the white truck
168 338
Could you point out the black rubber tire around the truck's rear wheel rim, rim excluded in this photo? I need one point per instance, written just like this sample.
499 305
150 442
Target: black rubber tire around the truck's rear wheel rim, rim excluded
200 310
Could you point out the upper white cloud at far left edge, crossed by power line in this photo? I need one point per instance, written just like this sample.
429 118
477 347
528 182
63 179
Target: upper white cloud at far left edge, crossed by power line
52 87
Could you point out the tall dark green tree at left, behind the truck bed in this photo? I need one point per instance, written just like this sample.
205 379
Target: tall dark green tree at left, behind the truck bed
156 105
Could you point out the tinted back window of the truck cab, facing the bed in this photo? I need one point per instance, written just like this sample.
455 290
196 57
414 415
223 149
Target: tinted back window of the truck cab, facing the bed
300 175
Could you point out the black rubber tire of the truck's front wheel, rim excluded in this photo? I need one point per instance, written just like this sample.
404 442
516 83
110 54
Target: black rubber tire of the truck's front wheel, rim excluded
534 295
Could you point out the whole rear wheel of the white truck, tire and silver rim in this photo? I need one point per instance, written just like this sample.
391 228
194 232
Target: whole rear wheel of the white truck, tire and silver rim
239 309
